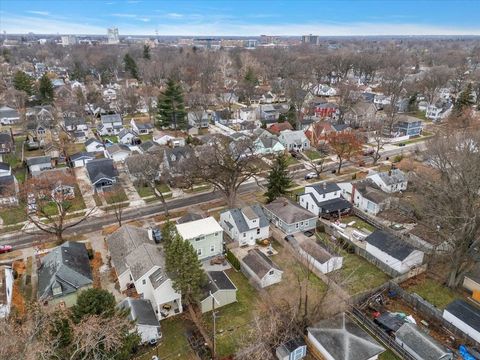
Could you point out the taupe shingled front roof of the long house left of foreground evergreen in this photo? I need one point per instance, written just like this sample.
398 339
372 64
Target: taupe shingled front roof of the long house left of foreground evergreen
130 248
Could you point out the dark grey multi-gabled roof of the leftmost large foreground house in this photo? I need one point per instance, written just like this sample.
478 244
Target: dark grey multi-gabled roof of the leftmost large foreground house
68 266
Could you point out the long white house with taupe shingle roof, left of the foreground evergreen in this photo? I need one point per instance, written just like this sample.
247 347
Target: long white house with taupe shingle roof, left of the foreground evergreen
139 261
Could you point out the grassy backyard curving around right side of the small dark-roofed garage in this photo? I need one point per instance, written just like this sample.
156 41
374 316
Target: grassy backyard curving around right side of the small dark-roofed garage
233 319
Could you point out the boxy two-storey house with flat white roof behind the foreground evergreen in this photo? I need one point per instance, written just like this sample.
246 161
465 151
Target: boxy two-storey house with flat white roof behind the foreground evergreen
205 235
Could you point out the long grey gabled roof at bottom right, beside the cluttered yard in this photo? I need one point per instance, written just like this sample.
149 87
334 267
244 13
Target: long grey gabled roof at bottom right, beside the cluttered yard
422 344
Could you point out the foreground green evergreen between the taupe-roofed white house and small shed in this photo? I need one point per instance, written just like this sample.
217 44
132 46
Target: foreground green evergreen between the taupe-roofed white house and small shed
183 267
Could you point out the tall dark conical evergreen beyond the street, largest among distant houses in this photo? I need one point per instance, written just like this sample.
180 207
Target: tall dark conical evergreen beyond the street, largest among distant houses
171 107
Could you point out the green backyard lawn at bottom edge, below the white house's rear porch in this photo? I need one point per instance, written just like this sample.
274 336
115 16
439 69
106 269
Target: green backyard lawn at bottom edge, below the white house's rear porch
174 342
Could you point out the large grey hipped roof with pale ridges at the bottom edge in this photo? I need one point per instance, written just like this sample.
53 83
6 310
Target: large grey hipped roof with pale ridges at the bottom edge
343 339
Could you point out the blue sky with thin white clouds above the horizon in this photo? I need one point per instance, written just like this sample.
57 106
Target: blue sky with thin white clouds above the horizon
242 18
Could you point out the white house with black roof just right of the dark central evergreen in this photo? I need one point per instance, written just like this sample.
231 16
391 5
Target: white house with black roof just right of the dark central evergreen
324 199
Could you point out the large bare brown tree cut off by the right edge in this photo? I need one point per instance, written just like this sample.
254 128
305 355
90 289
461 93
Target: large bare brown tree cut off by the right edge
449 197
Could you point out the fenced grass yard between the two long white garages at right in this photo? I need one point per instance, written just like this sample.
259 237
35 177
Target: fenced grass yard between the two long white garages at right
357 274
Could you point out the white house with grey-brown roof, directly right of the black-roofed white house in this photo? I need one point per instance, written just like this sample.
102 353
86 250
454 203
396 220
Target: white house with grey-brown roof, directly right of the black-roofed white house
366 196
